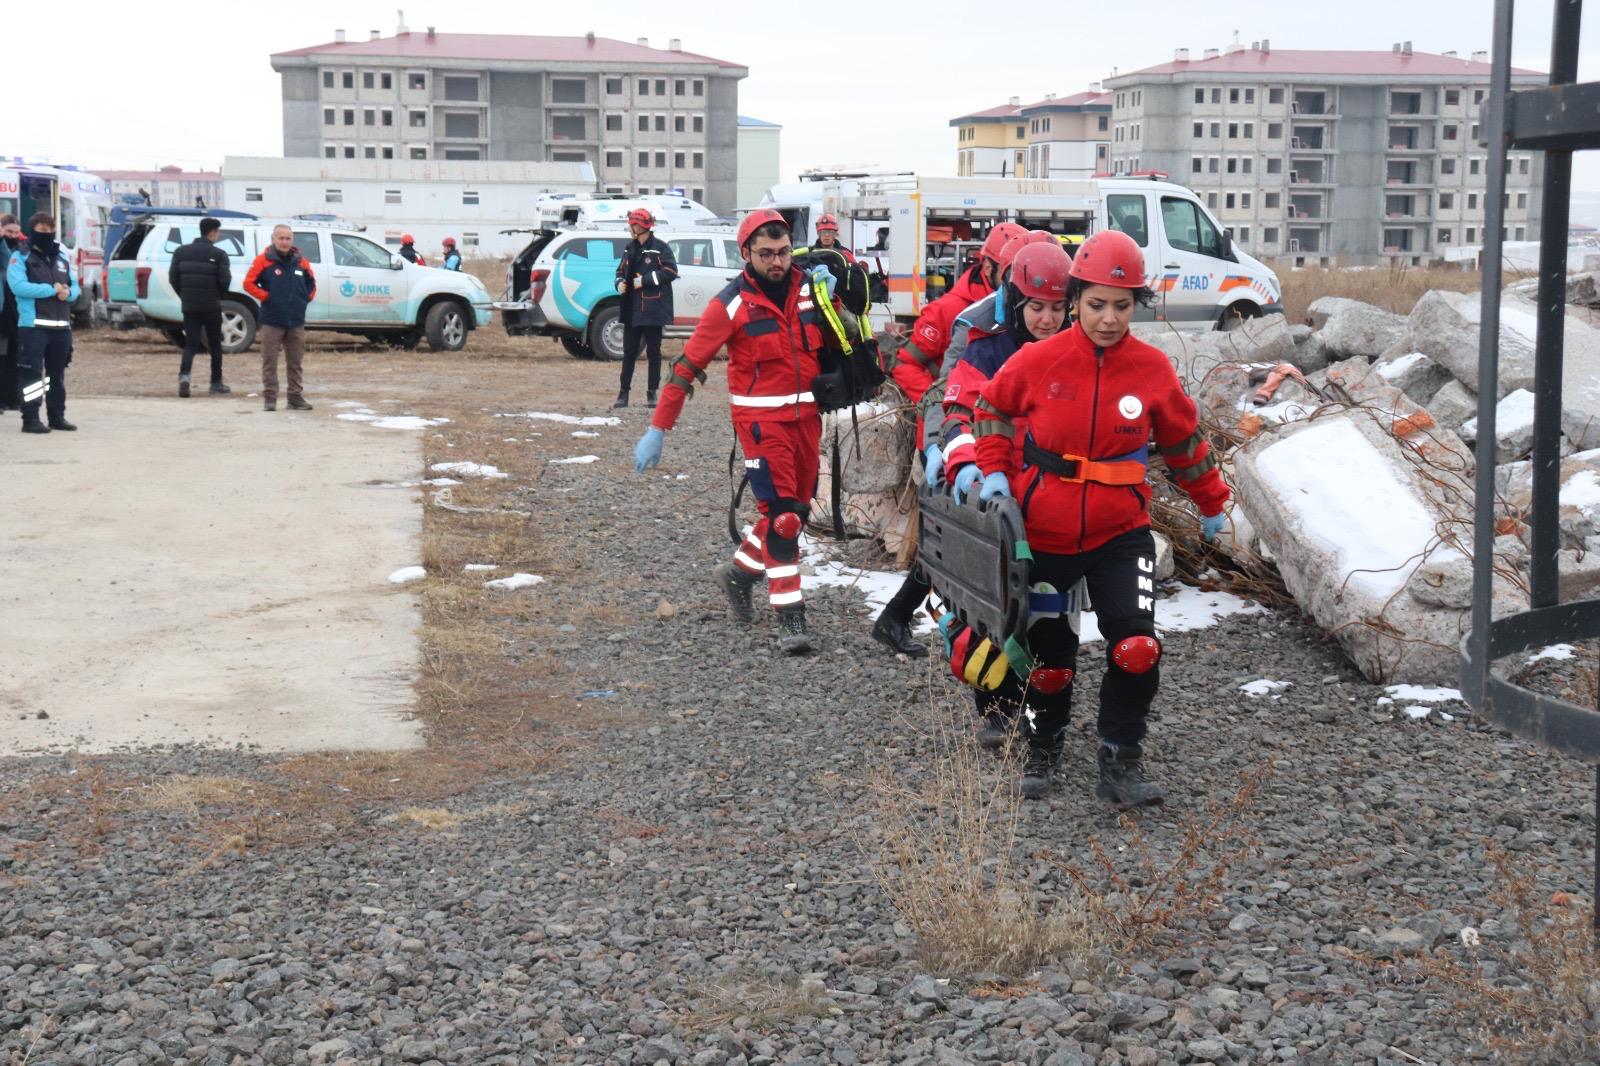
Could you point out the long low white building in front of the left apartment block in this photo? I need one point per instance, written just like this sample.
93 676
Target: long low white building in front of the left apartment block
430 199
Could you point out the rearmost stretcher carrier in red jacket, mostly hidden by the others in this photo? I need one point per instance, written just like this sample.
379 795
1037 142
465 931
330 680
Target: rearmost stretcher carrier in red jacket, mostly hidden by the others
916 366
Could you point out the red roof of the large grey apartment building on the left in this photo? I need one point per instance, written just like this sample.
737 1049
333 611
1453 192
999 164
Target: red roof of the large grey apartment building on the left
506 49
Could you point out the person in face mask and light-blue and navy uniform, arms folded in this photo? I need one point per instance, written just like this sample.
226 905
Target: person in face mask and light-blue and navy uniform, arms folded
42 281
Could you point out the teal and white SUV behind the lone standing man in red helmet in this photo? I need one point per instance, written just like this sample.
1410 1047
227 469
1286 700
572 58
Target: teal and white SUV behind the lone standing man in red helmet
564 284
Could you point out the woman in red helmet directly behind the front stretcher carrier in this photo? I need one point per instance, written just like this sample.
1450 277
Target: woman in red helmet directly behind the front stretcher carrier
1034 308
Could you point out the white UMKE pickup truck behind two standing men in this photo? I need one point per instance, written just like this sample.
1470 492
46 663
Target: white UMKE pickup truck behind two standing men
361 286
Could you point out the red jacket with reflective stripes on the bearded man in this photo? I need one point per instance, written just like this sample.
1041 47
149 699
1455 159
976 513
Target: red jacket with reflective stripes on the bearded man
772 355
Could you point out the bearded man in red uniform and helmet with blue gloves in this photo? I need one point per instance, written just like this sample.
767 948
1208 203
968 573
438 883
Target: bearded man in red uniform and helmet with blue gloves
772 329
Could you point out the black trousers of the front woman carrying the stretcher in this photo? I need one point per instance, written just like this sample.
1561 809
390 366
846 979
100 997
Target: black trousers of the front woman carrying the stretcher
1121 575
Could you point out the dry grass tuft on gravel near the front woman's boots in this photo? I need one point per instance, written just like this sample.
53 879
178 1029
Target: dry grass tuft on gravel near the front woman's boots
945 856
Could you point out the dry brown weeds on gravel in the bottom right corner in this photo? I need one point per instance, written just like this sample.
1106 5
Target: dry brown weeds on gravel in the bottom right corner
1532 993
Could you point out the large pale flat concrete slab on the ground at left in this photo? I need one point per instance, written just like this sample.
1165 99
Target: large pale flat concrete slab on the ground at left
204 572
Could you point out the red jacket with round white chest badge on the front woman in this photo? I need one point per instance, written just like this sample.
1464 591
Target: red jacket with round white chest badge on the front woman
1097 404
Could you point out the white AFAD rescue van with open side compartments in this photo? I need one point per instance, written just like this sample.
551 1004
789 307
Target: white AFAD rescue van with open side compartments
916 234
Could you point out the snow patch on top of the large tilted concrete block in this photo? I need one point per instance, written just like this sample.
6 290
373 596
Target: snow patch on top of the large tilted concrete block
1358 510
